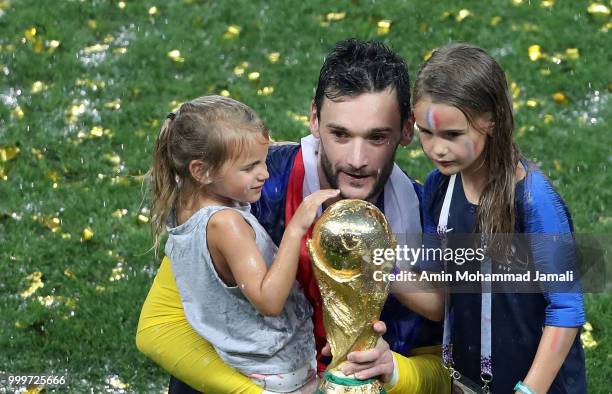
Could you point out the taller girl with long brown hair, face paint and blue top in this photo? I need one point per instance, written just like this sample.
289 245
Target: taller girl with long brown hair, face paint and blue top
498 339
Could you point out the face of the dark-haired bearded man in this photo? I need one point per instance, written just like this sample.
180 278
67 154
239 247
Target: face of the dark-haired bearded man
358 138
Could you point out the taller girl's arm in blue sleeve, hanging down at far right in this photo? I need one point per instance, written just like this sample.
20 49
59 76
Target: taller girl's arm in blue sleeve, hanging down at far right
547 219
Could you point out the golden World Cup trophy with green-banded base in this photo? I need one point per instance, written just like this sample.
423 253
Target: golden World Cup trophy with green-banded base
342 248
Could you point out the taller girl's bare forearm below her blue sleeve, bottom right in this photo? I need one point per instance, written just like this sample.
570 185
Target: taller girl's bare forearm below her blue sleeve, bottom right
552 351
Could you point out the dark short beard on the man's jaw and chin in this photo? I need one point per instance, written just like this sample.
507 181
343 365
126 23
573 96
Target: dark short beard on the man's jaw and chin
331 174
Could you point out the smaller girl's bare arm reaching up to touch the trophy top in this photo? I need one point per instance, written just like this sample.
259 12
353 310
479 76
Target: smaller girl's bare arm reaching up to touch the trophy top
230 236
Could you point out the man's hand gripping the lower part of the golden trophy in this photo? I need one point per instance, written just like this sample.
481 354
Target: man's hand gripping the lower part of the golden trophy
377 362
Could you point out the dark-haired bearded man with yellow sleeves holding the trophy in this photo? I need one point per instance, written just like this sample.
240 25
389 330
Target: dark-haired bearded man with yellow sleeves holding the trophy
359 116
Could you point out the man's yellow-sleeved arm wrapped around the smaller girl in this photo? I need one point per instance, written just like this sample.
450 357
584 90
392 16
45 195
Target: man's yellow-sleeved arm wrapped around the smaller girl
165 337
